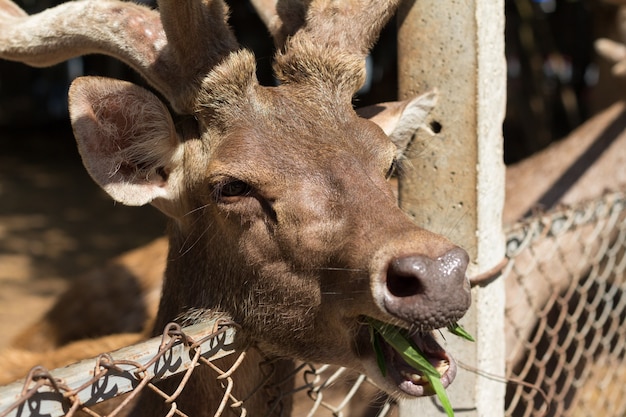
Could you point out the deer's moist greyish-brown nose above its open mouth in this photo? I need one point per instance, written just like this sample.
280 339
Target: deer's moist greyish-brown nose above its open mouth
429 293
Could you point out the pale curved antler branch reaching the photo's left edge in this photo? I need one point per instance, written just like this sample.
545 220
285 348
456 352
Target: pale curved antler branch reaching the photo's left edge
77 28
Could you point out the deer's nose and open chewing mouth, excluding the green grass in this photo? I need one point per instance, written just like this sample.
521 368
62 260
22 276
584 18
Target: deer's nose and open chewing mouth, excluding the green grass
421 293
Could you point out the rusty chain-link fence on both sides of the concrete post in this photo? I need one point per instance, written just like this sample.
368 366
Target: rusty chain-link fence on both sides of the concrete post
565 341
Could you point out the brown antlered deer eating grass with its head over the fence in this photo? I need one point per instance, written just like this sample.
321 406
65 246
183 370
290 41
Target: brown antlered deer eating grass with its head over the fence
281 214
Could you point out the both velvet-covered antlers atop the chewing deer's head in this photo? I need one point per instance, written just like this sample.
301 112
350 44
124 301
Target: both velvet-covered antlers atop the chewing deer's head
323 40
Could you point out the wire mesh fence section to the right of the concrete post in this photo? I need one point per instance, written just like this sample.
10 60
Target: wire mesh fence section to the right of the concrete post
565 312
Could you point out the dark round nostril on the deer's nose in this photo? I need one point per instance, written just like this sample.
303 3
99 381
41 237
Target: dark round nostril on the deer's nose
404 277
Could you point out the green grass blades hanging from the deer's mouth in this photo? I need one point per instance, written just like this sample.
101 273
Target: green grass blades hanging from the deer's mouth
400 341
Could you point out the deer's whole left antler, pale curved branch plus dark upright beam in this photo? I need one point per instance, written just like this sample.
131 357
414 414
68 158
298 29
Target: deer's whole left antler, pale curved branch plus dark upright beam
173 50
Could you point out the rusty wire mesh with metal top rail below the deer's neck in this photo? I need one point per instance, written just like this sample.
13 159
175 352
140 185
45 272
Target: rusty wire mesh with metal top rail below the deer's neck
110 384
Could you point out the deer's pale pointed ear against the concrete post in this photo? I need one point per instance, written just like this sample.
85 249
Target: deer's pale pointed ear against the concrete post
401 119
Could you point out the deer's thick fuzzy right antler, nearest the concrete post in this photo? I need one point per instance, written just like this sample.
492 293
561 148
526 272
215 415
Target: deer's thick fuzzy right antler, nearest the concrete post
330 36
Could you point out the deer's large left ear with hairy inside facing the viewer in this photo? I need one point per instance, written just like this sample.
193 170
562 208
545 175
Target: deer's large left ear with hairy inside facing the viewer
126 138
